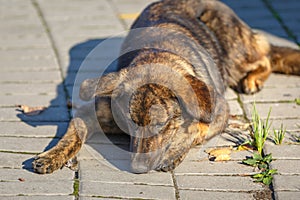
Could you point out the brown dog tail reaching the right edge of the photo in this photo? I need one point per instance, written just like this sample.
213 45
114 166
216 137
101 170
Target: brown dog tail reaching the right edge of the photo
285 60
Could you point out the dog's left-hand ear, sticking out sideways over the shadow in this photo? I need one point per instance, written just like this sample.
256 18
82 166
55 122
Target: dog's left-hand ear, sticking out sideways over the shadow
102 86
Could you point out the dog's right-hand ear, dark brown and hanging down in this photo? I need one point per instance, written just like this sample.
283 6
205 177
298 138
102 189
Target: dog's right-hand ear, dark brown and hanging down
205 99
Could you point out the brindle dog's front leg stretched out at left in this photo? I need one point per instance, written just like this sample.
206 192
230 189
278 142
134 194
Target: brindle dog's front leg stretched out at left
84 123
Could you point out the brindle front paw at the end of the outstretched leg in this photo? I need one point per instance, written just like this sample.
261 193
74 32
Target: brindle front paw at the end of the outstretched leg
45 164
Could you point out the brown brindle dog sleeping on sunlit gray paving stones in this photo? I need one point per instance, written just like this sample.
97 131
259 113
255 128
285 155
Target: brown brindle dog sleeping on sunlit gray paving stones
168 93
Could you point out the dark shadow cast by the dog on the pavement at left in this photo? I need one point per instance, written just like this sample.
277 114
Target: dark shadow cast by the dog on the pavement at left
89 59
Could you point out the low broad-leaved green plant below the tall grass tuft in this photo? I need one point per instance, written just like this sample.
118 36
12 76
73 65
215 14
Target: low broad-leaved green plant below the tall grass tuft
262 163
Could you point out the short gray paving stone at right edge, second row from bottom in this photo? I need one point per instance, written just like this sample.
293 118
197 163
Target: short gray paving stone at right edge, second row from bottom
286 183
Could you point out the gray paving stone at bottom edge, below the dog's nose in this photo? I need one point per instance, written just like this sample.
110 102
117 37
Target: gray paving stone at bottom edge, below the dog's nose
108 190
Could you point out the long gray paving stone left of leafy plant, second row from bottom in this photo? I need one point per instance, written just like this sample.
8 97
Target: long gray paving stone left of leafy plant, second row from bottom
217 183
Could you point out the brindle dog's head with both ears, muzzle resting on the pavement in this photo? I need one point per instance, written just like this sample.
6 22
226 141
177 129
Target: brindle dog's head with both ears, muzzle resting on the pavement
152 103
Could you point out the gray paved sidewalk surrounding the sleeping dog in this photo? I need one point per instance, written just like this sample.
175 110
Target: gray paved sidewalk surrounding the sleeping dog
42 45
